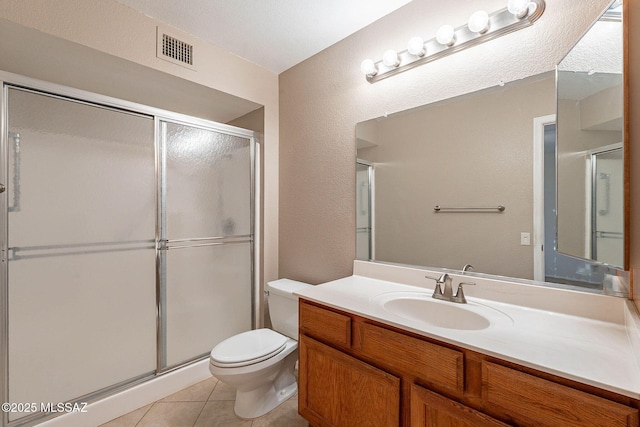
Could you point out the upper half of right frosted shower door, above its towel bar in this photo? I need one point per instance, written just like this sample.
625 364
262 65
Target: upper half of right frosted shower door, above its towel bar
208 183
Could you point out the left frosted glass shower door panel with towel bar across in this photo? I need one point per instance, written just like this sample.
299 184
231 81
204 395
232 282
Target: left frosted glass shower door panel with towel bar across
81 247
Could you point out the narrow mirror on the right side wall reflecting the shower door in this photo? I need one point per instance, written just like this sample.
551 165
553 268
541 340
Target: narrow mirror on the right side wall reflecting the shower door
590 144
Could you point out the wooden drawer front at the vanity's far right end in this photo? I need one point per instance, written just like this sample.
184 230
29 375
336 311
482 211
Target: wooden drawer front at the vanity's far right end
527 400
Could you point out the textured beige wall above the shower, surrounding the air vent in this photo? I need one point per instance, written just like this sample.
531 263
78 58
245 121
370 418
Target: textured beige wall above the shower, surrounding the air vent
128 37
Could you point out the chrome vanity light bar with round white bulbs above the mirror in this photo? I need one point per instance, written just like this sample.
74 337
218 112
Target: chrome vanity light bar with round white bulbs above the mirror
481 27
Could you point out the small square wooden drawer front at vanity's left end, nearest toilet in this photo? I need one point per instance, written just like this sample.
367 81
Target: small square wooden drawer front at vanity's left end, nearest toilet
325 325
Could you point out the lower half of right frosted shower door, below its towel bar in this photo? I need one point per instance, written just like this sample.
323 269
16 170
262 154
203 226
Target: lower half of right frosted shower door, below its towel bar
208 298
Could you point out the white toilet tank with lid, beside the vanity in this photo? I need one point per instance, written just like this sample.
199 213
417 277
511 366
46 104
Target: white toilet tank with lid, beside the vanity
283 306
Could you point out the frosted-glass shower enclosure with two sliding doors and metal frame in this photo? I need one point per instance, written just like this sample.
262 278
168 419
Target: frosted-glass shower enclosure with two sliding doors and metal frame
127 243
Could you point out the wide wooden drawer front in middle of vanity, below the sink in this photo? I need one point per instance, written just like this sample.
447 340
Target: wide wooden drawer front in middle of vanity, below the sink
431 363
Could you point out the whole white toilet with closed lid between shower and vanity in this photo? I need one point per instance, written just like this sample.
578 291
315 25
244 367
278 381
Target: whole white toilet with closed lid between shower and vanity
260 363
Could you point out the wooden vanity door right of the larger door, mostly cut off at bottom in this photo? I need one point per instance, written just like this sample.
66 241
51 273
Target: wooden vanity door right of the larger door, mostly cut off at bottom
429 409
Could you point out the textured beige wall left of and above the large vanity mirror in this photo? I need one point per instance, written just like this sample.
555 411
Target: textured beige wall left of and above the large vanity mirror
323 98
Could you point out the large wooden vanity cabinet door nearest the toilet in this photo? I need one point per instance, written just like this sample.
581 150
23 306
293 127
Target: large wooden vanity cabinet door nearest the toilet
337 390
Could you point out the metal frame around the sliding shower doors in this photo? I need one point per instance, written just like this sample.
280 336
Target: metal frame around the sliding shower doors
11 80
